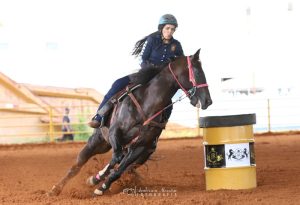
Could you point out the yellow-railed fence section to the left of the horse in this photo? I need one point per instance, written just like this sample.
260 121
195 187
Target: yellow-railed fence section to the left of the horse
25 125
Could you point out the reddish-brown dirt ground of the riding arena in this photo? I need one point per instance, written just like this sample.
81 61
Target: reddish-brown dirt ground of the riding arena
175 175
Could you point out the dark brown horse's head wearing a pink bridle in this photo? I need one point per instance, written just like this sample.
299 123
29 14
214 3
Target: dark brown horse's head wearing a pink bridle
193 81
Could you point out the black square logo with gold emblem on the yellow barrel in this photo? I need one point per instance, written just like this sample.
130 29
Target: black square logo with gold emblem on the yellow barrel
215 156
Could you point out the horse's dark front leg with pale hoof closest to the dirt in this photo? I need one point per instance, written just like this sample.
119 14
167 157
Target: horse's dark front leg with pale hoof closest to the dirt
128 159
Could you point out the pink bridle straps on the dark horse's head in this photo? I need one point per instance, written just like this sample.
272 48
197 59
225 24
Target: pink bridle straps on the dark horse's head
191 92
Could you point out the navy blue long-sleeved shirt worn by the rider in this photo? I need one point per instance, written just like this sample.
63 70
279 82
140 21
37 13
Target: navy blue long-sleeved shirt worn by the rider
157 53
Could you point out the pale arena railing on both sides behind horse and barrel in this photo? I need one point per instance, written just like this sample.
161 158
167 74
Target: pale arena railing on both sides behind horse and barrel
273 114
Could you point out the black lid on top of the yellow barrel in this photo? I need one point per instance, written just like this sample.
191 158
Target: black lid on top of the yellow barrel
227 120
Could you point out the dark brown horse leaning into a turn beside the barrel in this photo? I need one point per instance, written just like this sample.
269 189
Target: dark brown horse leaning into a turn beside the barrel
135 123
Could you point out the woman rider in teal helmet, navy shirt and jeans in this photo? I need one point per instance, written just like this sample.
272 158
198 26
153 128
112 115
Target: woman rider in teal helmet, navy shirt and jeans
156 50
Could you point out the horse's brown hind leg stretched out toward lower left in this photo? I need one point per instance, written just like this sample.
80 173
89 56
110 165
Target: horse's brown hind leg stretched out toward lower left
95 145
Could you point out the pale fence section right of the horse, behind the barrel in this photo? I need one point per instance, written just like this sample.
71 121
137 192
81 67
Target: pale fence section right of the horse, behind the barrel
272 114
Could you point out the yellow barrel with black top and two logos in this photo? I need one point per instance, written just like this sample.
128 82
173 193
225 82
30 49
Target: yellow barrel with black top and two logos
229 151
